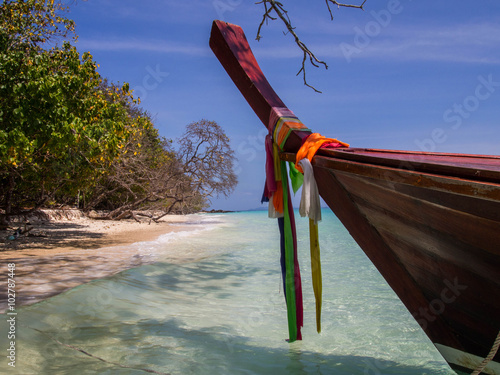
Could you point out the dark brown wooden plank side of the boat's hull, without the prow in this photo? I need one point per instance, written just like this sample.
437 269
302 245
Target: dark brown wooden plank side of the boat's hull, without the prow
435 239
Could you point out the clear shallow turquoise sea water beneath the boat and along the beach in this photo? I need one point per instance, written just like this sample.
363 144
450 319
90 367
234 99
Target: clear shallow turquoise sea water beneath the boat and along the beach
223 312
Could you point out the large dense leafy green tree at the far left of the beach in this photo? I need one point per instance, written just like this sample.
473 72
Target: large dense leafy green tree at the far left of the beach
57 126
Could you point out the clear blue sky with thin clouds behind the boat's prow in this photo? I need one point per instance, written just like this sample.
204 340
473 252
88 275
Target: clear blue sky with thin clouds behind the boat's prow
402 74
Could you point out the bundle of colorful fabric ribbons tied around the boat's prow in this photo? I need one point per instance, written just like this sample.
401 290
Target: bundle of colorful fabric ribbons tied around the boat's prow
282 122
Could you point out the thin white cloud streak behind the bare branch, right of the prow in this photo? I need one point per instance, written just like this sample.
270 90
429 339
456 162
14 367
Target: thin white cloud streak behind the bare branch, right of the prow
466 43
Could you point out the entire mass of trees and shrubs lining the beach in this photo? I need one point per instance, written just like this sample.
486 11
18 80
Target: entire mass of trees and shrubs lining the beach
68 136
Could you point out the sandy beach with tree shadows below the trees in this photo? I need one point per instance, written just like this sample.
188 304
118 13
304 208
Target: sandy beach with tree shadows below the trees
60 254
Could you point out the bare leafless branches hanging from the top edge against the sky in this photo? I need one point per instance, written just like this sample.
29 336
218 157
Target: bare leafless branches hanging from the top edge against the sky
276 8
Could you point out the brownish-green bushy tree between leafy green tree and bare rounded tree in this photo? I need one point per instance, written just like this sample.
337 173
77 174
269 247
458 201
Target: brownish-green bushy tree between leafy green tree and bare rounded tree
140 176
